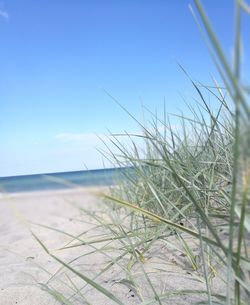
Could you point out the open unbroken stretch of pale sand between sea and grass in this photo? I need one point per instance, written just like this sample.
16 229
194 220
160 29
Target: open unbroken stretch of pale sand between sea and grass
21 257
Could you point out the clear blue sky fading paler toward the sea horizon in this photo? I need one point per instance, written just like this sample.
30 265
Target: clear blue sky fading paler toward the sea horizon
58 56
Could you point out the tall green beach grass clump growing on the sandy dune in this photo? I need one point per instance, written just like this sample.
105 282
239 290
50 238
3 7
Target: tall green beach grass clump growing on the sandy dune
186 191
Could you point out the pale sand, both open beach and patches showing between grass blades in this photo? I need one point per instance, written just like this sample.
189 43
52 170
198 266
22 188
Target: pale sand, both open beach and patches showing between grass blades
21 256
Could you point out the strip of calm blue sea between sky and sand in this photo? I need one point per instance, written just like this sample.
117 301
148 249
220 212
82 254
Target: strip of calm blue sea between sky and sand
100 177
